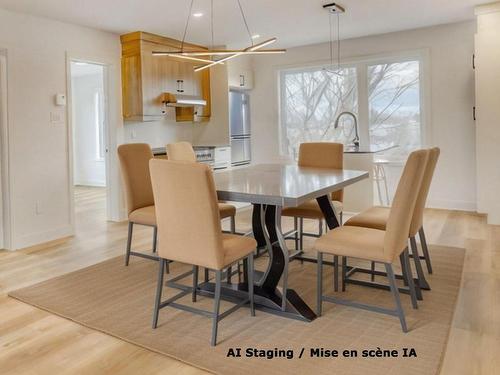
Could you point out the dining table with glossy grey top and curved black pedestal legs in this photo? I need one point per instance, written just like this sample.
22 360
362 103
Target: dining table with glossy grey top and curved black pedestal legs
269 188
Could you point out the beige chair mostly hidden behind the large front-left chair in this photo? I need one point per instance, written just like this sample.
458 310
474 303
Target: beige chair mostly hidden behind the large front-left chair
183 151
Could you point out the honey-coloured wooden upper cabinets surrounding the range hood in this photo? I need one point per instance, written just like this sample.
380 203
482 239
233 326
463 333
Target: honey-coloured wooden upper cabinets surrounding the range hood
145 78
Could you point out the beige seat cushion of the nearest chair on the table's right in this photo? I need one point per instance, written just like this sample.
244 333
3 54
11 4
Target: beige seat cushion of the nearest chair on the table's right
356 242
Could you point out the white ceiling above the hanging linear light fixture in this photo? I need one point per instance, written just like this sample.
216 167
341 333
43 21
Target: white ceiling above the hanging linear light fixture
294 22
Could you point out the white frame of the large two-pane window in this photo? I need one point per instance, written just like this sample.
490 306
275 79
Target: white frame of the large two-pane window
361 64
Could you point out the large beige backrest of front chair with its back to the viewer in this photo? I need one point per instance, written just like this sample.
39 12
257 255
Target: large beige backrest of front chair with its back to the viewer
187 214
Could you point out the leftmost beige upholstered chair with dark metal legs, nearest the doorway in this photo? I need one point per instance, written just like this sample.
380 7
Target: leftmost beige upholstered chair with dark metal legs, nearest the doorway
134 161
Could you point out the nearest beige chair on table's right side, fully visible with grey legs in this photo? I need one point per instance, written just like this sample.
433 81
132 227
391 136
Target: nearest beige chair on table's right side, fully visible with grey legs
378 245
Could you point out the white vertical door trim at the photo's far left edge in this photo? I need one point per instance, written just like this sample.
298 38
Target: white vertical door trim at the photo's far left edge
6 206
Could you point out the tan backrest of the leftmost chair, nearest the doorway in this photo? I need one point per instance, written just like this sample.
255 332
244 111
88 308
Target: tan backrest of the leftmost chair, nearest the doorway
134 162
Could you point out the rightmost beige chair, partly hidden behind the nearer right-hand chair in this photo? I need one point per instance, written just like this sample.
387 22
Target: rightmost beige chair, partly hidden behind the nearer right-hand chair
377 217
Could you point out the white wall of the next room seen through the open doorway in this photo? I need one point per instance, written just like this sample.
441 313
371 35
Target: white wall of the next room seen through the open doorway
88 170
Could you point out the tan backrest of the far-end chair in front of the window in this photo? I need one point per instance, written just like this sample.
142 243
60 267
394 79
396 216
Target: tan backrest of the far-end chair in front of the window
323 155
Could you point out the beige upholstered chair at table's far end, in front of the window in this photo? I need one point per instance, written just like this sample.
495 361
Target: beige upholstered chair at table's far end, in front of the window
317 155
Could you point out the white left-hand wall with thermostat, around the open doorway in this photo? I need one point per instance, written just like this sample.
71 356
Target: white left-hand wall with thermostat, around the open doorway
38 148
